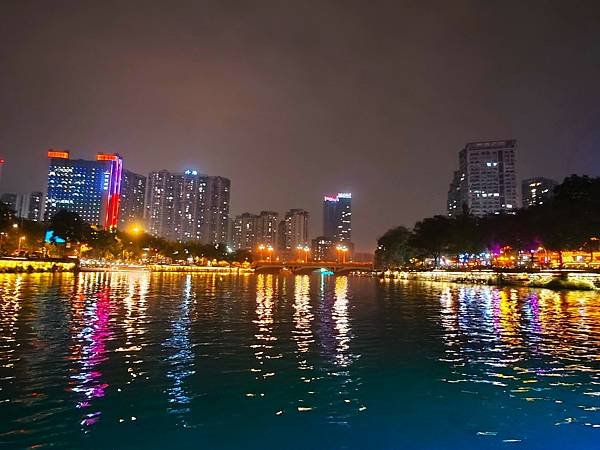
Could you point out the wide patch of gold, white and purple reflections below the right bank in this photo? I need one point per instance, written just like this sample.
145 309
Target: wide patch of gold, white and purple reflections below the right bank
539 345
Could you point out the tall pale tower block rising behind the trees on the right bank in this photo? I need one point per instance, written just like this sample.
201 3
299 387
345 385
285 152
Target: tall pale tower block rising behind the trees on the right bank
485 182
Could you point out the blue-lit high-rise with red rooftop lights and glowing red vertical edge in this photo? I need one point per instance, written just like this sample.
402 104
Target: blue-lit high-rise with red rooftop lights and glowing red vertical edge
91 189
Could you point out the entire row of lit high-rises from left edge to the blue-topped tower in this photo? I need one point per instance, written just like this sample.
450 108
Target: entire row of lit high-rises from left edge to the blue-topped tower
181 206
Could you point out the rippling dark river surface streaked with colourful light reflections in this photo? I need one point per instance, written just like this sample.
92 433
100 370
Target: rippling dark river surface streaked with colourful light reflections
299 362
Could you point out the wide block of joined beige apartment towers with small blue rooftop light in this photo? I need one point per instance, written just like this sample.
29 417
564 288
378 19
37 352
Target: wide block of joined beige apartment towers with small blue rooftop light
188 206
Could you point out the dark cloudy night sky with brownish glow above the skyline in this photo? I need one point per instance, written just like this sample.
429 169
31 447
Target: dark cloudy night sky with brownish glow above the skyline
293 99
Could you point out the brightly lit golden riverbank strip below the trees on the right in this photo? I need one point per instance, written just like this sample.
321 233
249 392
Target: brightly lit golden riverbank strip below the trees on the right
557 279
